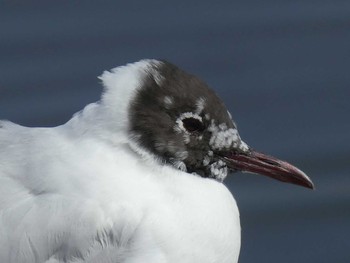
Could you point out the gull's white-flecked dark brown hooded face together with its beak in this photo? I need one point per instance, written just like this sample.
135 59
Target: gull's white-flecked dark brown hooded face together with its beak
179 120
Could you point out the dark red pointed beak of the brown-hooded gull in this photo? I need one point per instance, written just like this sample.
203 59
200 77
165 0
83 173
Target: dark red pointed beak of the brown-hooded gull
259 163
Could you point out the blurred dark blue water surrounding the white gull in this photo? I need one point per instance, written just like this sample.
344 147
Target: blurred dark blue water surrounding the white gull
282 67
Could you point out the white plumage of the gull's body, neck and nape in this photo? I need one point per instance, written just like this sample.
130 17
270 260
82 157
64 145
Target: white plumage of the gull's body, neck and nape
85 192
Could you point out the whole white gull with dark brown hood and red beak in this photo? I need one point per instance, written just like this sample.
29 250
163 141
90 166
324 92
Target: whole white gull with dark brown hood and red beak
134 177
